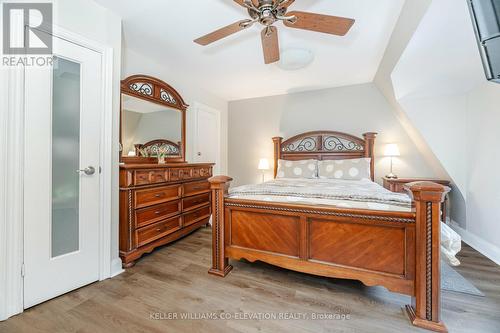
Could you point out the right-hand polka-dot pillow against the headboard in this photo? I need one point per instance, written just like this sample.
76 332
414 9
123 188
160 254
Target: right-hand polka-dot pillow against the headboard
355 169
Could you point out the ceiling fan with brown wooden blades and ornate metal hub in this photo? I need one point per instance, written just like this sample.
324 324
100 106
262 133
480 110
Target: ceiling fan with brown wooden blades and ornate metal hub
268 12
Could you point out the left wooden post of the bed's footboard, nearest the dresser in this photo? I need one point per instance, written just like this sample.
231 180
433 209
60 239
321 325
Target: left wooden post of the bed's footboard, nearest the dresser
220 263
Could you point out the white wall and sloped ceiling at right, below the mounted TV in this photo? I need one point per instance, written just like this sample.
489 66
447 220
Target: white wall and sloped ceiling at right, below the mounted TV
439 85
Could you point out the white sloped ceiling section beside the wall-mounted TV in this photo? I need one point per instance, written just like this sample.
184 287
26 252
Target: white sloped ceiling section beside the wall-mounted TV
442 58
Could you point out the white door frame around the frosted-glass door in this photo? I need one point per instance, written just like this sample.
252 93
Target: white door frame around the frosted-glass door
12 171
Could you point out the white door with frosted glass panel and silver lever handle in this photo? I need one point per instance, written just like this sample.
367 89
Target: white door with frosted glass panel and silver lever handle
61 196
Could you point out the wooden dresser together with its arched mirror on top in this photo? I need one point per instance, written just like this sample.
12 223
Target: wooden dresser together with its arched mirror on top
162 197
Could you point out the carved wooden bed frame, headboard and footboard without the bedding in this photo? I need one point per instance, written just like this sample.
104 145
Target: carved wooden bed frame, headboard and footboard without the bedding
397 250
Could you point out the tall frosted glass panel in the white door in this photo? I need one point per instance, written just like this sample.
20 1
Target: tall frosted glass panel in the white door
65 156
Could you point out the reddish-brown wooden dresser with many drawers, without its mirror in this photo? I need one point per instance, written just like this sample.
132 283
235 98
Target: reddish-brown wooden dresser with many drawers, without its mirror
160 204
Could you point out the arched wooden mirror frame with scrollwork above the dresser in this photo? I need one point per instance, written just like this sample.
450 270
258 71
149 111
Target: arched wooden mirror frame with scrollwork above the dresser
156 91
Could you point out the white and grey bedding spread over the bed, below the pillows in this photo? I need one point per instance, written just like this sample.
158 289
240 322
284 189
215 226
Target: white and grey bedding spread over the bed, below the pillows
361 194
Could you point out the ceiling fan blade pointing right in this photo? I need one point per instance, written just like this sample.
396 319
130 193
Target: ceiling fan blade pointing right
321 23
